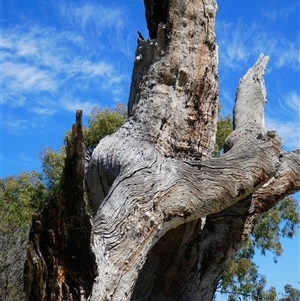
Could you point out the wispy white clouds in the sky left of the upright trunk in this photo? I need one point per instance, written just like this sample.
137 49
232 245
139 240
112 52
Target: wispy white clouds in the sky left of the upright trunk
44 66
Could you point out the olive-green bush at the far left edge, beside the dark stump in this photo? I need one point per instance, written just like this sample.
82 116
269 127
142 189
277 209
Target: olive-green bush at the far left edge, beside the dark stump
20 197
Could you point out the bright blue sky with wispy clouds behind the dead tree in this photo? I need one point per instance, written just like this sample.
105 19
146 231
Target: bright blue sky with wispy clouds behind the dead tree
59 56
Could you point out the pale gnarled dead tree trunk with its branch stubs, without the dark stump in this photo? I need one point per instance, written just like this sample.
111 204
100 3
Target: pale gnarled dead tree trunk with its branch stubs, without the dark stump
168 216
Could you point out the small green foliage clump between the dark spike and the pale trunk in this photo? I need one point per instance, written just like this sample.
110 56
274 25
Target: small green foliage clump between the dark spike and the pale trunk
102 123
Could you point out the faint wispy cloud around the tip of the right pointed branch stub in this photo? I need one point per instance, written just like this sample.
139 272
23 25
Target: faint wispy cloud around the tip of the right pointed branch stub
238 43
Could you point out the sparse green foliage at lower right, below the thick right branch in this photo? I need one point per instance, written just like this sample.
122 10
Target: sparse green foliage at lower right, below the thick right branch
241 280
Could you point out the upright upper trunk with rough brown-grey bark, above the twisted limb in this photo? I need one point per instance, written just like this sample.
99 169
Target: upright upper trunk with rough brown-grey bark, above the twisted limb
174 90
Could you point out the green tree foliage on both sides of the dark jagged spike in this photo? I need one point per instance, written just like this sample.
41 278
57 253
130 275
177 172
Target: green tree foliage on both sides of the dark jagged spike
24 195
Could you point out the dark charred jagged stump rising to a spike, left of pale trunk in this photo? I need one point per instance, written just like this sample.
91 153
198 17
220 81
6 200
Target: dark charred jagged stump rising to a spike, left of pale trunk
60 264
